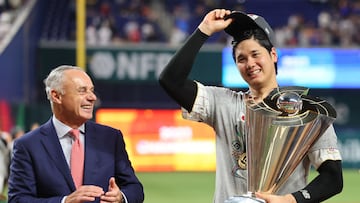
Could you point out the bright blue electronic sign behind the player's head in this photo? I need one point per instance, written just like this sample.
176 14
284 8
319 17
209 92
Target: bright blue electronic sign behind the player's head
309 67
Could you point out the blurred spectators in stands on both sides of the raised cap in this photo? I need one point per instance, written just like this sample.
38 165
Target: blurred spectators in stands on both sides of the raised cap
171 22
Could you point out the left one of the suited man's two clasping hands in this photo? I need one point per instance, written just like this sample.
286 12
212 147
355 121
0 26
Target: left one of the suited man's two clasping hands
85 193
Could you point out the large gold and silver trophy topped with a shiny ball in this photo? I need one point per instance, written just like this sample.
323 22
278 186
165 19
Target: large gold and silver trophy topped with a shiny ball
279 132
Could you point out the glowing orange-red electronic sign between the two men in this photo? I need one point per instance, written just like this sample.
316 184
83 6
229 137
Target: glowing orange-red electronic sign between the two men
161 140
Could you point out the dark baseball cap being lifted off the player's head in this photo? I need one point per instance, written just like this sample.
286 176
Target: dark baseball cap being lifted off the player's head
243 21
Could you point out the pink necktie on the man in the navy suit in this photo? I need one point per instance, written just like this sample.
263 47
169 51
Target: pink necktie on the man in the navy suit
77 159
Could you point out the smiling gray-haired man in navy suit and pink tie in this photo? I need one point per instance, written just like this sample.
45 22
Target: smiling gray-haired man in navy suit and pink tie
45 167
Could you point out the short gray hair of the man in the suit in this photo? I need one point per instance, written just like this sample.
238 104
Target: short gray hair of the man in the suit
55 79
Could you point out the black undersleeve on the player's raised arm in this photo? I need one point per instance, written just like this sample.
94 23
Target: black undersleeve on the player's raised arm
174 77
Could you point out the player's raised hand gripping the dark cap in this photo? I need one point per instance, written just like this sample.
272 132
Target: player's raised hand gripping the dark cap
214 21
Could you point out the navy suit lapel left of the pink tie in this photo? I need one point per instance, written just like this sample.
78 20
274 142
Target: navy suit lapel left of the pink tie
50 142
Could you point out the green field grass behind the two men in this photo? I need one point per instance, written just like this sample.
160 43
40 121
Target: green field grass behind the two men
198 187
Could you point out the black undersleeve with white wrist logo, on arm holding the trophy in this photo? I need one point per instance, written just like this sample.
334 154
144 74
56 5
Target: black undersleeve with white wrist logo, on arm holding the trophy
329 182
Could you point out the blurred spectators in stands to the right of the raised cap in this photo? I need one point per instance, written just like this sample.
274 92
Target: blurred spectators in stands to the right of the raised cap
337 26
